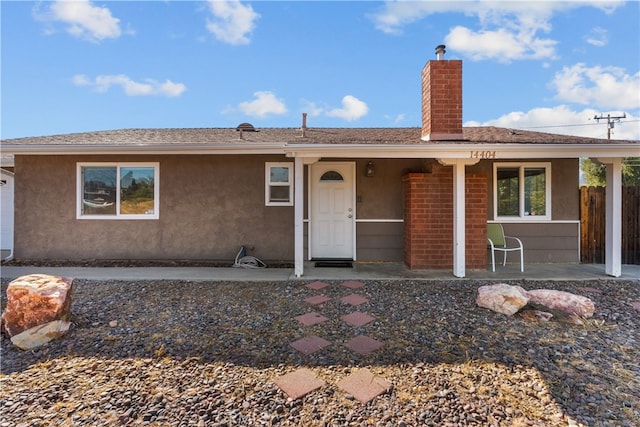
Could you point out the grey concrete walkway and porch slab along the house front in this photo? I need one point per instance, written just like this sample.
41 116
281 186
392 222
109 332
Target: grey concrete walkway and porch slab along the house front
360 271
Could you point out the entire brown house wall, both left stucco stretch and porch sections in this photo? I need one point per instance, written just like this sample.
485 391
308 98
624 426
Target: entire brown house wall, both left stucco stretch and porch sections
211 205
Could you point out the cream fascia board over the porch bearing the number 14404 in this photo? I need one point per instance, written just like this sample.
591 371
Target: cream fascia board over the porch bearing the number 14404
462 151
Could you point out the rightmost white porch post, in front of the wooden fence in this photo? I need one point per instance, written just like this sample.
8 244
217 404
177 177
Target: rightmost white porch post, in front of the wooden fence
613 217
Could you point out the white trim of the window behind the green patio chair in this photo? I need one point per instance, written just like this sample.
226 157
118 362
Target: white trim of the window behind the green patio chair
521 167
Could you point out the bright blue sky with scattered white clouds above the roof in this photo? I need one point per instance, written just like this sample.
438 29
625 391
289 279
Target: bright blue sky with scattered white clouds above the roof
77 66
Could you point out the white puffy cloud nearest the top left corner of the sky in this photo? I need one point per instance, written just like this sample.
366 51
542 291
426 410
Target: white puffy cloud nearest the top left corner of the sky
84 20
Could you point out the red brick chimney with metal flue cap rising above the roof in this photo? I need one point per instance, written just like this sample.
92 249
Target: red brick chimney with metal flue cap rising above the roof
442 99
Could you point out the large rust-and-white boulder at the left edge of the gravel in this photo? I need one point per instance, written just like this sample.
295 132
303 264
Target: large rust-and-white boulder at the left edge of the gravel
38 309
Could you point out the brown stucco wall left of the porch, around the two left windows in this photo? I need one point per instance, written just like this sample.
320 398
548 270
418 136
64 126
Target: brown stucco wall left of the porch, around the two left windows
209 207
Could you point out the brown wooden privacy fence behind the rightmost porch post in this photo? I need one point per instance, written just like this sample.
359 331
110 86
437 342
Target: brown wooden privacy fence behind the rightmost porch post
592 225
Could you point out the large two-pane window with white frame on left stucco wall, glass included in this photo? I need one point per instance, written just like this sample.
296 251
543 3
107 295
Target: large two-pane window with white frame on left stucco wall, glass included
118 190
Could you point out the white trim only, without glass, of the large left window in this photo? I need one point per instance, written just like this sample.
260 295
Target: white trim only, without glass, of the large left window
118 165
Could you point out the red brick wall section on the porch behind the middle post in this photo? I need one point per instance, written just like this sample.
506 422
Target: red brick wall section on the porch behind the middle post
428 219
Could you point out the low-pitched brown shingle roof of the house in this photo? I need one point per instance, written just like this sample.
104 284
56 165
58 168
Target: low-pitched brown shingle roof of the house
229 136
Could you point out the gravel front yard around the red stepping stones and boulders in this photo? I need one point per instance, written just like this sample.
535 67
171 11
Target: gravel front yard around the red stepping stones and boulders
205 354
